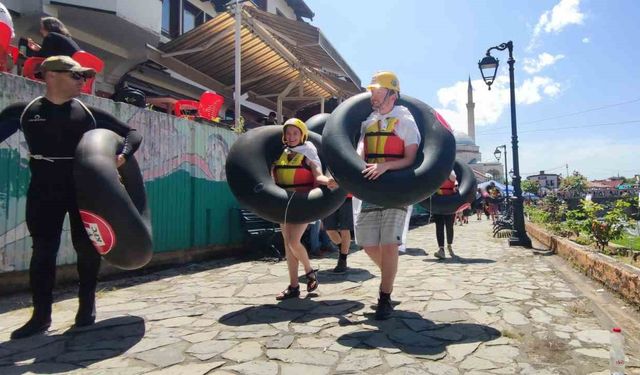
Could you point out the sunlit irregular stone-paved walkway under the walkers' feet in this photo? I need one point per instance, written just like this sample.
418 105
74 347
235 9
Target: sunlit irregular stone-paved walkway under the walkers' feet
494 310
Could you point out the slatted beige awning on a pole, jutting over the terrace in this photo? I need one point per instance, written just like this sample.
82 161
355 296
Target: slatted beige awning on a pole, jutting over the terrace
291 67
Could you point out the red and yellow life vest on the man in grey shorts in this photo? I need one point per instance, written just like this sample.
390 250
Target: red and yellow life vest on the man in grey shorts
380 144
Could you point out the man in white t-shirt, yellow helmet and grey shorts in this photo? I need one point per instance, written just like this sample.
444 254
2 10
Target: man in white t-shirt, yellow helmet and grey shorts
389 140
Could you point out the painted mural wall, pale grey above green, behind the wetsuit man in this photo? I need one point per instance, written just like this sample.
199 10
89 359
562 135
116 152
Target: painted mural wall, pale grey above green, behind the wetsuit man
183 168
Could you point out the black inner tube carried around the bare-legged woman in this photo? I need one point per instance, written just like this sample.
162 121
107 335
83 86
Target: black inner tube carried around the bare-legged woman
249 176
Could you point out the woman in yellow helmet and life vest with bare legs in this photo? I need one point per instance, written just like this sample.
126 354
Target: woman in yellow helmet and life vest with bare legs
298 169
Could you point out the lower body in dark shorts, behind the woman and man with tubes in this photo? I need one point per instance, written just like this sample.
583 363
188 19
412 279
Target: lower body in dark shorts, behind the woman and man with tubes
339 226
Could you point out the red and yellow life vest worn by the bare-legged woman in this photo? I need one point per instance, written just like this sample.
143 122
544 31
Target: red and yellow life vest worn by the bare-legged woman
293 174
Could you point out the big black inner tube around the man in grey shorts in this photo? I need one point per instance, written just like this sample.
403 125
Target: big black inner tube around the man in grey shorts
397 188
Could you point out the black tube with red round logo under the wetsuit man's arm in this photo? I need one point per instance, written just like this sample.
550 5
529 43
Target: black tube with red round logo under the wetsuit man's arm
112 202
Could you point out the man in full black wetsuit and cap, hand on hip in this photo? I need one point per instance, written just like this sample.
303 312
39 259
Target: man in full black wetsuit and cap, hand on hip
53 125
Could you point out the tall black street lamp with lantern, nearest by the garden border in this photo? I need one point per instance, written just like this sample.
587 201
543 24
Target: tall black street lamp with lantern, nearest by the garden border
488 68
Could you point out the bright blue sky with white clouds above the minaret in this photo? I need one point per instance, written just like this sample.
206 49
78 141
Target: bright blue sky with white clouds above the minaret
577 71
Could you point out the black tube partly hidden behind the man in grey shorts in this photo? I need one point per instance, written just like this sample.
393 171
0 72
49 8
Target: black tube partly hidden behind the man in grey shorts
449 204
